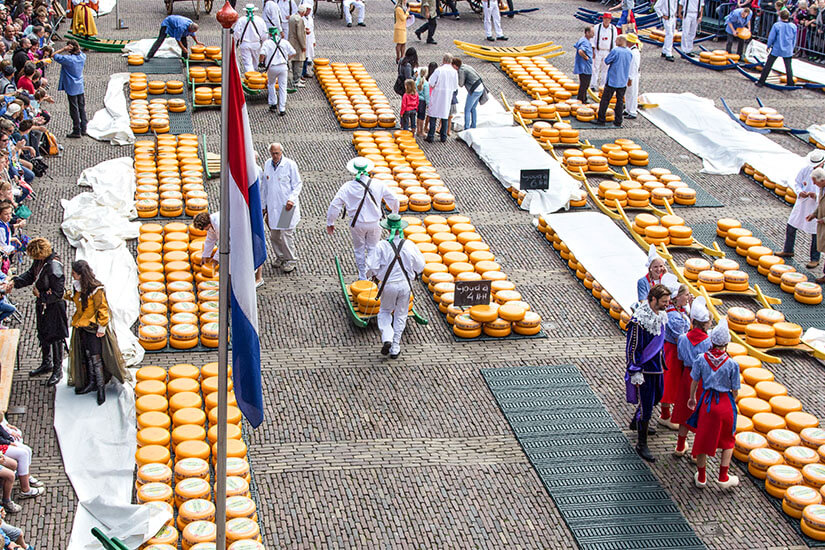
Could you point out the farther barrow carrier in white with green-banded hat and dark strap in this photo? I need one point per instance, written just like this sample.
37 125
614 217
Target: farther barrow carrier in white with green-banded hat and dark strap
361 199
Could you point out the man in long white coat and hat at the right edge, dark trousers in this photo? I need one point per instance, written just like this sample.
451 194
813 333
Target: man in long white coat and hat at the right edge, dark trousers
807 198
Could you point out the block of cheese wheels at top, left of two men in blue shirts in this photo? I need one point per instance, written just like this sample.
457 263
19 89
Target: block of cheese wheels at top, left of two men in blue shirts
540 79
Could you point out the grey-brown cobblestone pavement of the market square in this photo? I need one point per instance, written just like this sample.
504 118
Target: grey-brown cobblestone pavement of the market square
360 451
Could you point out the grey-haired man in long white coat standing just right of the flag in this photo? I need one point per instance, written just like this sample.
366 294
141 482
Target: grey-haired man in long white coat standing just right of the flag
281 188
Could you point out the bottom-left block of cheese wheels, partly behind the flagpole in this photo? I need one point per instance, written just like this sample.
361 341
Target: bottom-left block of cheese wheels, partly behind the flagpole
180 402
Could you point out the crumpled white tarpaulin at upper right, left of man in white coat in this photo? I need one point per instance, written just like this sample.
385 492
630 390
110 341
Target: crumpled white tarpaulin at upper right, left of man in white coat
724 146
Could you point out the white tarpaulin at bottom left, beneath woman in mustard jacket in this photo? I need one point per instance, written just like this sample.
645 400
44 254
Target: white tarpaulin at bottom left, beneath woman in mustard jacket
98 446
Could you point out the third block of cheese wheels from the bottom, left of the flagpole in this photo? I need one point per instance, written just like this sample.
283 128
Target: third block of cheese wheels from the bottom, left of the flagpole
169 177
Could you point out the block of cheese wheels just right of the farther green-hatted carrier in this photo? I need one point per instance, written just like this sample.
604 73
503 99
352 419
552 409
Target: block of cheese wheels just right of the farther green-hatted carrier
402 166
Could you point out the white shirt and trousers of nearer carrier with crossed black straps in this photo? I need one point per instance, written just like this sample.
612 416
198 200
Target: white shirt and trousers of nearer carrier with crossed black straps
395 296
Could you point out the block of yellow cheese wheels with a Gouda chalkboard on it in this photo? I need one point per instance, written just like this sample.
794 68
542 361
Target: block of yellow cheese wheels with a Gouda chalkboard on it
453 251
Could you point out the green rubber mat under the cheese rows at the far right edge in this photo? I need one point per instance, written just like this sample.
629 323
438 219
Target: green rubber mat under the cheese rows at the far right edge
796 312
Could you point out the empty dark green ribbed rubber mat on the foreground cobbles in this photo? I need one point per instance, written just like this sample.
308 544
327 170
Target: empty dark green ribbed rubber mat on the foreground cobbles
607 496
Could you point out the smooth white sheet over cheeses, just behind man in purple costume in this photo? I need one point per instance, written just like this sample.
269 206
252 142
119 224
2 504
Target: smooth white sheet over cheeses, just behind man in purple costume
613 258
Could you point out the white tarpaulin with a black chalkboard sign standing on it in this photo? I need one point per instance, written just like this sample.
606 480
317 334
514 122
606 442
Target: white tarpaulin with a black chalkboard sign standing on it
507 151
